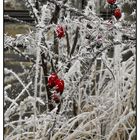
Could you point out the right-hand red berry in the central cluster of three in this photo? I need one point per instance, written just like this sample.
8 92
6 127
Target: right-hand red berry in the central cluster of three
59 85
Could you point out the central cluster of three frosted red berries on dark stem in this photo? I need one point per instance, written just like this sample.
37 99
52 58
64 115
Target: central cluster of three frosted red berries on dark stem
58 85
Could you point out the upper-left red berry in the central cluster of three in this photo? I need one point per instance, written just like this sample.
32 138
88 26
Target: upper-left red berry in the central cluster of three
51 80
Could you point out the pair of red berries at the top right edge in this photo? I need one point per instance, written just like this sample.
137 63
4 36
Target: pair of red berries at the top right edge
114 8
